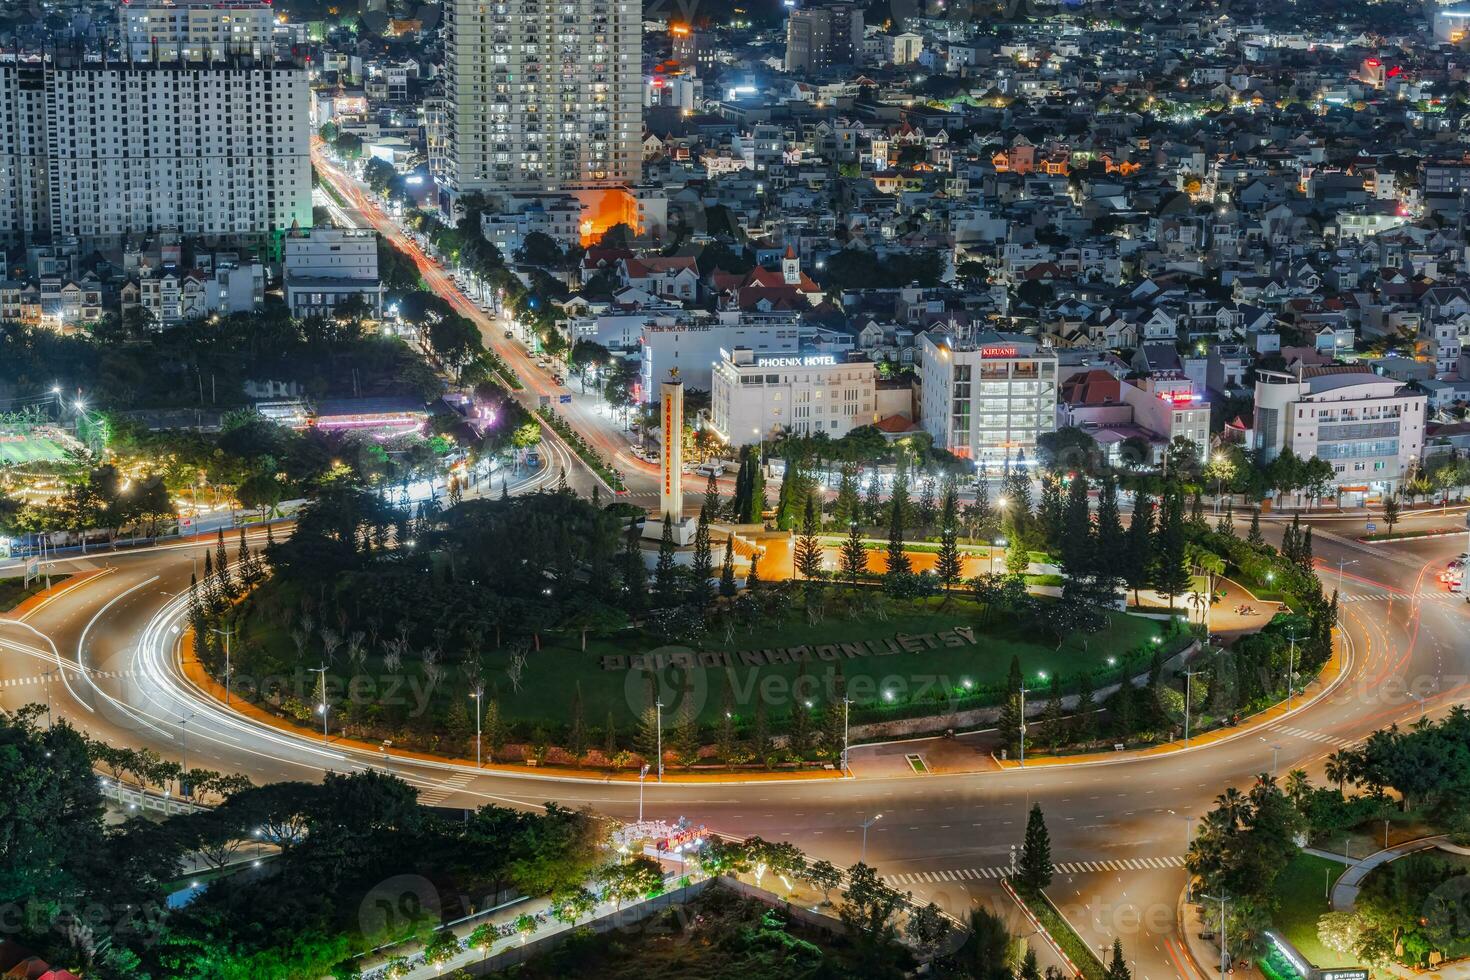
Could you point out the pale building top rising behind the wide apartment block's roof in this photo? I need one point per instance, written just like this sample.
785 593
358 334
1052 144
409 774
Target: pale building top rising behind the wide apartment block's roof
195 30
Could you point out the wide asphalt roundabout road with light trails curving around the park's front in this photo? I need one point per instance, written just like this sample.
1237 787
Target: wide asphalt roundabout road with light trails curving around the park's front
1119 831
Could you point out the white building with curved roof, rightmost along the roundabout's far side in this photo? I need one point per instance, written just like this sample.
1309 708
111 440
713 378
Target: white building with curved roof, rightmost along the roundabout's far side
1368 427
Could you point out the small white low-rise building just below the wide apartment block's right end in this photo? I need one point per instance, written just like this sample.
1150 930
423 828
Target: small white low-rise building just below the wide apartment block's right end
330 265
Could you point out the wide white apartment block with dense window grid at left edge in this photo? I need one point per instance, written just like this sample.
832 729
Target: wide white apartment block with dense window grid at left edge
108 152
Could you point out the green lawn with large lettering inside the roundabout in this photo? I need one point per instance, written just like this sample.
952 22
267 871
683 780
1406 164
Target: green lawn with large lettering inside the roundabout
931 680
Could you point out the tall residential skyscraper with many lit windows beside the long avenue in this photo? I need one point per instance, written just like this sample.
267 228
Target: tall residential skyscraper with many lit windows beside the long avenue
542 95
